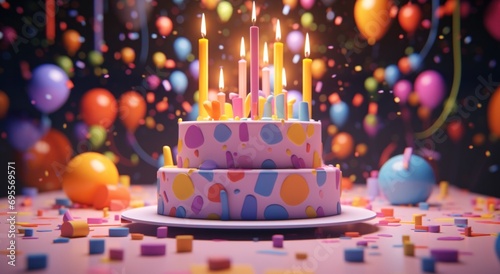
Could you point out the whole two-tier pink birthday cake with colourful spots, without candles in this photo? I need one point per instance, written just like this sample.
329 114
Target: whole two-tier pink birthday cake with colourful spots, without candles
249 170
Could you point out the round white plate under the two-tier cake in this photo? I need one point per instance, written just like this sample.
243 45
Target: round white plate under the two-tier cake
148 215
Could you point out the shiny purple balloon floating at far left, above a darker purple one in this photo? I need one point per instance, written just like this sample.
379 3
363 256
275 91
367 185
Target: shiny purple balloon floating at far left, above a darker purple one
48 88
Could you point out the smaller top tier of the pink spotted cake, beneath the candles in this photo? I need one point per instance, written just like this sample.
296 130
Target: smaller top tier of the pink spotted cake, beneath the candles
249 144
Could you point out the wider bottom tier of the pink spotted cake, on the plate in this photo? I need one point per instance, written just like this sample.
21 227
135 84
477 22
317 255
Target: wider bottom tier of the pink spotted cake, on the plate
249 194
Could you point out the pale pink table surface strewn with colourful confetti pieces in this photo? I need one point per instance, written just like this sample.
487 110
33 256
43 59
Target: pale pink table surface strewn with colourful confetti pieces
251 251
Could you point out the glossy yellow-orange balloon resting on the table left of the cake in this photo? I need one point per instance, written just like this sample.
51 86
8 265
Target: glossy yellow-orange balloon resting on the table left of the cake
85 173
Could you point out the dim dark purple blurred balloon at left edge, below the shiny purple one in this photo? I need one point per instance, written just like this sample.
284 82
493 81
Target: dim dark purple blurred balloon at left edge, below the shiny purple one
22 133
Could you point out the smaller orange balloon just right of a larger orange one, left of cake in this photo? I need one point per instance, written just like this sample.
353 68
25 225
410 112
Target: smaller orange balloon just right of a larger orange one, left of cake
132 108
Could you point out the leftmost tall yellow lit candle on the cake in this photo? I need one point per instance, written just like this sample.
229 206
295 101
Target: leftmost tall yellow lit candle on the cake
203 70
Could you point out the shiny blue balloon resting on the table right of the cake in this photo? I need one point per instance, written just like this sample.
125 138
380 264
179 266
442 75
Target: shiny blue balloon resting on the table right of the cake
410 185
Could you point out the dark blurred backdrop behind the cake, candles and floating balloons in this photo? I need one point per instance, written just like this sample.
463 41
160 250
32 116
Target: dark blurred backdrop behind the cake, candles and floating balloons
465 163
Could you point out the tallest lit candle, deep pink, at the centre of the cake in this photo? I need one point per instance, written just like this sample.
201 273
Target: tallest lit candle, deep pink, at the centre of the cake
254 66
